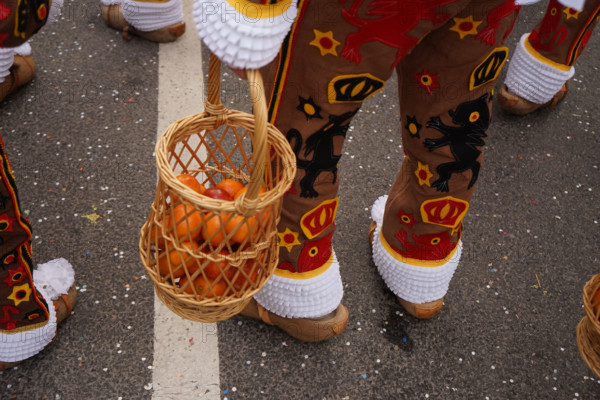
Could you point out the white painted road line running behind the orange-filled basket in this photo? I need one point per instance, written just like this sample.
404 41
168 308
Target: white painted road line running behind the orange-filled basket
186 356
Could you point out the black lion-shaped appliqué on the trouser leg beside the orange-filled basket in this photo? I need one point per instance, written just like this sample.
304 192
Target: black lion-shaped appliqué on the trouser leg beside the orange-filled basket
321 145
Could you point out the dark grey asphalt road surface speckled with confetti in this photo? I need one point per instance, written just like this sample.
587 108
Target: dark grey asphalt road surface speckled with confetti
81 139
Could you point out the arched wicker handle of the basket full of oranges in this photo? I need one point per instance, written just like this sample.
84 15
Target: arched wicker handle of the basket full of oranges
214 107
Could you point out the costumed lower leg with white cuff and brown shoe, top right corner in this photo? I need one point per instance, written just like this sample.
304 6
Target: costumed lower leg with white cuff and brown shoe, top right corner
543 60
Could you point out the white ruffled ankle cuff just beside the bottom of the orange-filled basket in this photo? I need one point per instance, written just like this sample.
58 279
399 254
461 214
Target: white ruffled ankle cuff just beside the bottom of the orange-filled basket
303 298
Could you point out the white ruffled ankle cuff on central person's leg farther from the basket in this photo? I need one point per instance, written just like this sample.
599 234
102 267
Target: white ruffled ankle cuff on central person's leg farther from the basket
412 283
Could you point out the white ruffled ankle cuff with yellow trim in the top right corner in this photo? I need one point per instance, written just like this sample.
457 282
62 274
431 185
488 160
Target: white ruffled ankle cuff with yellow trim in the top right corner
533 77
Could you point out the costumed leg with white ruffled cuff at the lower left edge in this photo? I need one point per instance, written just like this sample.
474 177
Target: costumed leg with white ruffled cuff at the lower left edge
27 314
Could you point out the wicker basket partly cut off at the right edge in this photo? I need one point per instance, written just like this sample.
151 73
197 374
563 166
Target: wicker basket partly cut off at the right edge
588 329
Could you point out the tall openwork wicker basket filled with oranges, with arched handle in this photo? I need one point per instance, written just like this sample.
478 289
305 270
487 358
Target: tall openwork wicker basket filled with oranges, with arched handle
207 257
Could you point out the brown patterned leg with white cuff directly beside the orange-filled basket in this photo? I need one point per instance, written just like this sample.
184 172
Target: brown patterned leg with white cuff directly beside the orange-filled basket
335 57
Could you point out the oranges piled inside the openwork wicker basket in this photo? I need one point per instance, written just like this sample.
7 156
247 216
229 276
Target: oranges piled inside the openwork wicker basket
196 231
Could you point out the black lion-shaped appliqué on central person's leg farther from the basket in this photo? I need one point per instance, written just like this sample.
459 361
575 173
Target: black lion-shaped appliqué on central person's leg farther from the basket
473 119
